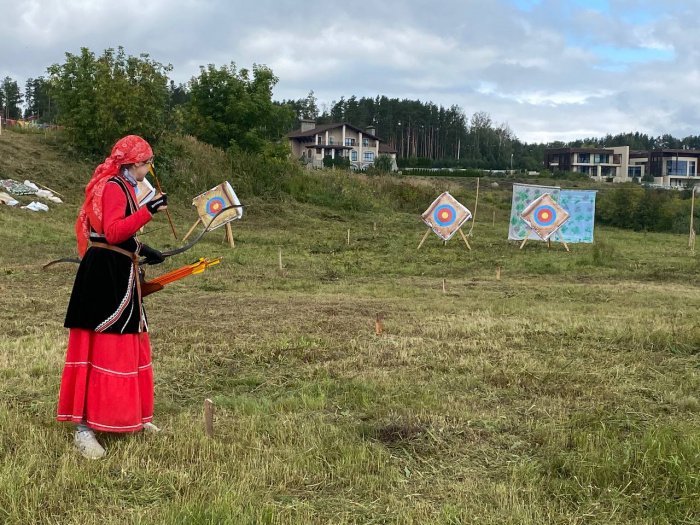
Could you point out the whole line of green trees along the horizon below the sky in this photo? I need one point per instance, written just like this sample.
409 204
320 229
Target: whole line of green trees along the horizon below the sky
100 98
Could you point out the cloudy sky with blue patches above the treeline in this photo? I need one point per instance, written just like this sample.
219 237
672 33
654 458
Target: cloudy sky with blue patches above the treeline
550 69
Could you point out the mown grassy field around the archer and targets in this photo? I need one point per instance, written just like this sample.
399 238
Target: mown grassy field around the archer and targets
566 392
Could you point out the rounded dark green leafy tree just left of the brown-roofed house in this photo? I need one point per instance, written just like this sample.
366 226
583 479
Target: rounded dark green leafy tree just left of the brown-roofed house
231 109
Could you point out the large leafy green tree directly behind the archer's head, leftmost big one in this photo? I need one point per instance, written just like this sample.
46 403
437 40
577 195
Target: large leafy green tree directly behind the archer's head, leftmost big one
100 99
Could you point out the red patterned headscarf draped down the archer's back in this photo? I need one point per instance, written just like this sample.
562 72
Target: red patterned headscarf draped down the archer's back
127 150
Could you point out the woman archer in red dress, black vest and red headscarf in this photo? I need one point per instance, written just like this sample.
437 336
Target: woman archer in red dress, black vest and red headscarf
107 382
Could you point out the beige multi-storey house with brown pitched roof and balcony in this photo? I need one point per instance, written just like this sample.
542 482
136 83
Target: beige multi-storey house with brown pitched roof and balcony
361 147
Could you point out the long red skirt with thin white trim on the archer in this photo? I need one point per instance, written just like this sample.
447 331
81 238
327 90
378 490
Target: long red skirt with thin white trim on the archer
107 381
